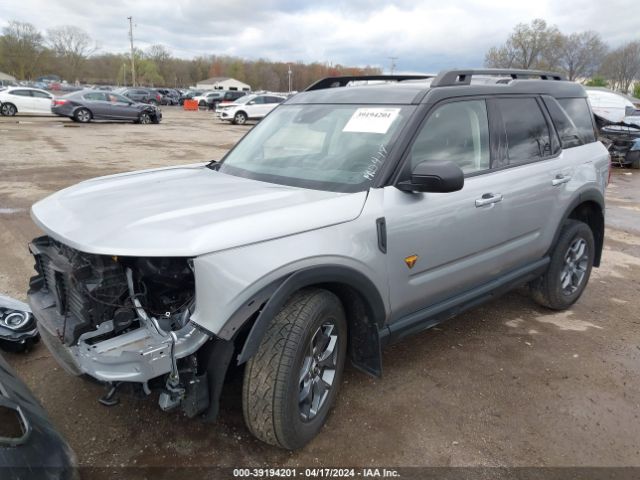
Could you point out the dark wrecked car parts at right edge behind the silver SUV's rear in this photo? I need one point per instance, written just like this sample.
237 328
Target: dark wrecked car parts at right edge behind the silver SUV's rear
622 140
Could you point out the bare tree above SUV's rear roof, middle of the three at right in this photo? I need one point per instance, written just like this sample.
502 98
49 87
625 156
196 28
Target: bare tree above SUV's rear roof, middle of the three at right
580 54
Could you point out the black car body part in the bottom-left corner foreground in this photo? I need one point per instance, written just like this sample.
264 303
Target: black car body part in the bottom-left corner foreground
30 446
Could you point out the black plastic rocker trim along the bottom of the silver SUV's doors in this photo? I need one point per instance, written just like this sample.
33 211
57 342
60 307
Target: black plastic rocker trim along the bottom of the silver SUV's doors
438 313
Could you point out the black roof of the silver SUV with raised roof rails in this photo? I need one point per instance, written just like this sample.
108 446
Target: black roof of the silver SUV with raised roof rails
428 88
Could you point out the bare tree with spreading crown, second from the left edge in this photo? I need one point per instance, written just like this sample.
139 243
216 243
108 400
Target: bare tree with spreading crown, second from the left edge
72 45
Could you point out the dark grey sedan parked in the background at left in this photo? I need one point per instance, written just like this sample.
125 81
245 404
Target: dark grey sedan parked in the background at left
88 105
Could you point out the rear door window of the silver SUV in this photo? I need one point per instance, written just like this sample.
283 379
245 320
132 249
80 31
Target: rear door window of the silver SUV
527 132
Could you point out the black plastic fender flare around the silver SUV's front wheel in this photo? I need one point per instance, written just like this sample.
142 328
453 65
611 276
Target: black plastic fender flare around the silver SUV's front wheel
318 275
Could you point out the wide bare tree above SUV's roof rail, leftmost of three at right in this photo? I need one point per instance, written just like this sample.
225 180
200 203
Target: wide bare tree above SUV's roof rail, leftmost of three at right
529 46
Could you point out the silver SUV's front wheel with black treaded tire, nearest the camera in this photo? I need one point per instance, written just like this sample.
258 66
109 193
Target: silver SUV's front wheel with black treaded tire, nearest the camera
273 381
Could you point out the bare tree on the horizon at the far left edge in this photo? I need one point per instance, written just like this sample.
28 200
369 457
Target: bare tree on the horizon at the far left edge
22 46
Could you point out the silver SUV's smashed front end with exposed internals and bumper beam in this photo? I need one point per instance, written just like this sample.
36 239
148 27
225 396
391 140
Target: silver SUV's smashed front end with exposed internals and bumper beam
121 319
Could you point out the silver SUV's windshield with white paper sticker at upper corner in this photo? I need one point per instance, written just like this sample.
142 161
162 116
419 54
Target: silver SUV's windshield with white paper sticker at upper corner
324 147
